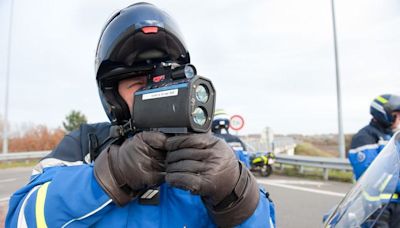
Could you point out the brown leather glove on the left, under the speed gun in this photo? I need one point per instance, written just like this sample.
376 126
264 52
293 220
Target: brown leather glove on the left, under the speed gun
124 171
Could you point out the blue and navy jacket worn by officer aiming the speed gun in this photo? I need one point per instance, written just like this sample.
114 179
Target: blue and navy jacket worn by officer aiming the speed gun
63 192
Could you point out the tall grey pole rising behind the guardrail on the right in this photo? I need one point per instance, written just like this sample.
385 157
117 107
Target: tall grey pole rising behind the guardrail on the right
338 90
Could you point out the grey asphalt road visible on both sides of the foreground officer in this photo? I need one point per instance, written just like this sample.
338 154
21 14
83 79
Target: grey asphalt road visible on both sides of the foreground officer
299 202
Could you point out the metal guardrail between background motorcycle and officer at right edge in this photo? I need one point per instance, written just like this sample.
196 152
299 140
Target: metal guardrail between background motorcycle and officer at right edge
318 162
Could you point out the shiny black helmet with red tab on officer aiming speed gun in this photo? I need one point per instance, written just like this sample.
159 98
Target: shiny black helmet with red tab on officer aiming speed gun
131 43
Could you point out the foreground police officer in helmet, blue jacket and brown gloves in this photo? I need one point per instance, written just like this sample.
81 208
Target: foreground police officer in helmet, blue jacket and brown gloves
149 180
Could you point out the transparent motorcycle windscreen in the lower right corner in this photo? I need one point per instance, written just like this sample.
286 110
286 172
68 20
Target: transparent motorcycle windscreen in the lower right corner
374 189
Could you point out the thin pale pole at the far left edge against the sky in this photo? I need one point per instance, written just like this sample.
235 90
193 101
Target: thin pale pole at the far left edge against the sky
5 123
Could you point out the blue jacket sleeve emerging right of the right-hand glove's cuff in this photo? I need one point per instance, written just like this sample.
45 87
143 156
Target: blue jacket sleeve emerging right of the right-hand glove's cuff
264 215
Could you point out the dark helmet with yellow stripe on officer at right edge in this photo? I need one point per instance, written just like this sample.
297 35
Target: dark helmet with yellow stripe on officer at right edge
382 109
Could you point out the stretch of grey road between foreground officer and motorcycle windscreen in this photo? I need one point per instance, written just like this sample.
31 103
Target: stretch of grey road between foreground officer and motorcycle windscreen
300 202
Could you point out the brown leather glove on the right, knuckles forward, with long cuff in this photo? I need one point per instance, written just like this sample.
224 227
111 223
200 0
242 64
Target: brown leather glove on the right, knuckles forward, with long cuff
207 166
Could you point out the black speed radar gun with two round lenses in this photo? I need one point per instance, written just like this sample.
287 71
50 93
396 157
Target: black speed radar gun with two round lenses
175 100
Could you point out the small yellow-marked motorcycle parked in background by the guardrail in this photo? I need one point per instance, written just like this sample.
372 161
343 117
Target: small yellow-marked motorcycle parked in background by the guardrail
262 163
